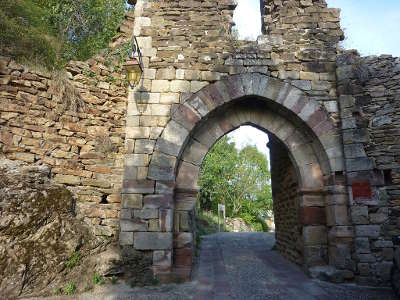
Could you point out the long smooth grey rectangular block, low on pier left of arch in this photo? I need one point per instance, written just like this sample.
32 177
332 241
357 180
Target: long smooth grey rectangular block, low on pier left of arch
152 240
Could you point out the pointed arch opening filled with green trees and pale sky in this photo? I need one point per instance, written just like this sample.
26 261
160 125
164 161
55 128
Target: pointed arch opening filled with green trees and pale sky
236 174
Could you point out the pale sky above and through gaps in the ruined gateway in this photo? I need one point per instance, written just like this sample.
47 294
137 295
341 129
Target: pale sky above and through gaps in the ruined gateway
371 26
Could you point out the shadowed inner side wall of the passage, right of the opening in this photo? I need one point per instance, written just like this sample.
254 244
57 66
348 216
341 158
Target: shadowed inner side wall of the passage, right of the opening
288 229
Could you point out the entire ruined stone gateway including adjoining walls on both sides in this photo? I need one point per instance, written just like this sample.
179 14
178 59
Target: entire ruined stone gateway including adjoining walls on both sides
333 120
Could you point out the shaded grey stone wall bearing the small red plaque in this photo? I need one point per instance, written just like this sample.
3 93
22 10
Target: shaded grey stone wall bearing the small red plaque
369 90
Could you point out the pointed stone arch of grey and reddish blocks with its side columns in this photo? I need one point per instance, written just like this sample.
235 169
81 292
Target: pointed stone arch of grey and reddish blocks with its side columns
303 127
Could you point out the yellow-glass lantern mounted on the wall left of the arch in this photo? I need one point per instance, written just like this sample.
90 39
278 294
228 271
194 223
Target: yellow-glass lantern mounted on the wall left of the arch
134 65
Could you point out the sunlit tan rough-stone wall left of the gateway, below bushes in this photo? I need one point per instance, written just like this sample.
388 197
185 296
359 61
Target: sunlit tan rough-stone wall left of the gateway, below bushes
74 122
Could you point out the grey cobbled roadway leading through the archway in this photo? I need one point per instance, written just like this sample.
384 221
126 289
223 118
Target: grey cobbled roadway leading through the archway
242 266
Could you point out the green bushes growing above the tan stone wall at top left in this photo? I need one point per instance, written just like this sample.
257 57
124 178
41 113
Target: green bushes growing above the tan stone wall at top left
52 32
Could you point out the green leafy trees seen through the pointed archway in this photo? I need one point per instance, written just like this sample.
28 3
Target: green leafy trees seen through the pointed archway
239 179
